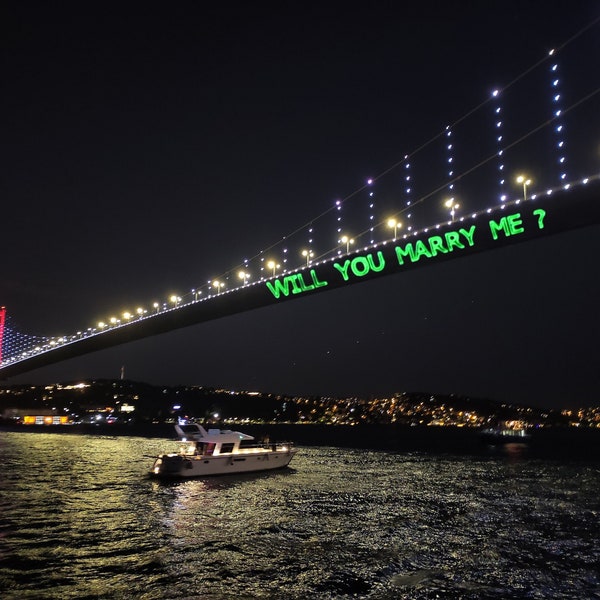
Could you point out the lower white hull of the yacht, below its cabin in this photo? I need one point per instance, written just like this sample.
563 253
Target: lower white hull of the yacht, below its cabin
176 466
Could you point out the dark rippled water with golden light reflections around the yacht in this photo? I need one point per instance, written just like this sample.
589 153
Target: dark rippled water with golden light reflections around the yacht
80 519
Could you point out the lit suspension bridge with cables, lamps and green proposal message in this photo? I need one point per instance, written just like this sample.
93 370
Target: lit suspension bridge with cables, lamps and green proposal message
522 165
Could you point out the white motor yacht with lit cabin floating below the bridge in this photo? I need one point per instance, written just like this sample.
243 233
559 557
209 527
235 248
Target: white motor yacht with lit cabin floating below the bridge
219 452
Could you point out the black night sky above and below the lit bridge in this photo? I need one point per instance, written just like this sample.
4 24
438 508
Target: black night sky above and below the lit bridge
147 148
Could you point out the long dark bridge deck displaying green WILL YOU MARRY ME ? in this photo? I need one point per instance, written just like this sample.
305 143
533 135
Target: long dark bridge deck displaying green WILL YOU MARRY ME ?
561 211
